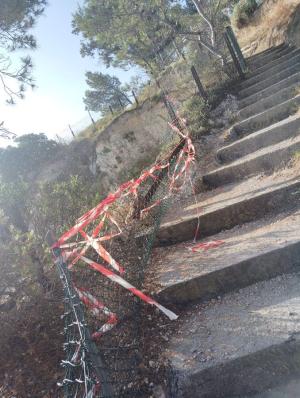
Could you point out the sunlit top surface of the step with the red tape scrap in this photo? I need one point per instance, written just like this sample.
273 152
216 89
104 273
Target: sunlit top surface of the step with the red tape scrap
176 265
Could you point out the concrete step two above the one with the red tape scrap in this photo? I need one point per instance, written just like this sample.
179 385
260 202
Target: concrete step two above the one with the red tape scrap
263 160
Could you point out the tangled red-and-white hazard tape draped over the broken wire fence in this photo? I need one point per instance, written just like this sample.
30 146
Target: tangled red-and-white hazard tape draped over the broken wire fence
101 211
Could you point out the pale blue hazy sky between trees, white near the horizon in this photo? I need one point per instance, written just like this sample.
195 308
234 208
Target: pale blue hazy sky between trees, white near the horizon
60 77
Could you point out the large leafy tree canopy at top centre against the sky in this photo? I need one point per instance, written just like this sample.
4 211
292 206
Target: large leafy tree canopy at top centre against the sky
126 32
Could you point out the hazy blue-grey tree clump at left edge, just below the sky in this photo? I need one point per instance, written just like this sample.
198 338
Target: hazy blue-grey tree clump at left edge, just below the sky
31 152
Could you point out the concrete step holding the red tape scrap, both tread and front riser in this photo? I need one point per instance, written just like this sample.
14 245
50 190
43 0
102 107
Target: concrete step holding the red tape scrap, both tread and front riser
250 253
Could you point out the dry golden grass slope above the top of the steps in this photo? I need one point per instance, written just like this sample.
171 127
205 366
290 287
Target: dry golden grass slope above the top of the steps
268 26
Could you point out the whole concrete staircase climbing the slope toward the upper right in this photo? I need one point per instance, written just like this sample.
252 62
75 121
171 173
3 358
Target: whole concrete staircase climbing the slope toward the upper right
239 331
